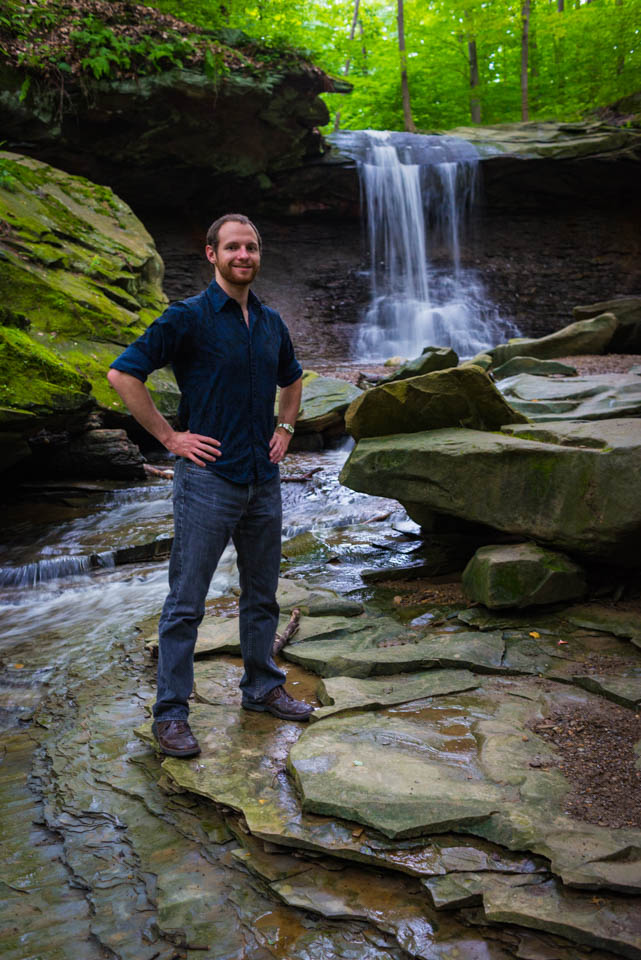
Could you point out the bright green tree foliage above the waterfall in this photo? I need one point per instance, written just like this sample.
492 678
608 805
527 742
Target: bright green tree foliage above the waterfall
585 57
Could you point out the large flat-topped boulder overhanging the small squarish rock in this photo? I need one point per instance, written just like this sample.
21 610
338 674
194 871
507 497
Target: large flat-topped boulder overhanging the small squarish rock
565 485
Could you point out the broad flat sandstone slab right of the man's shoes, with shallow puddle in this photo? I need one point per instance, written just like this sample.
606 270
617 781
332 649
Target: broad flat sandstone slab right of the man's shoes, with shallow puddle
470 760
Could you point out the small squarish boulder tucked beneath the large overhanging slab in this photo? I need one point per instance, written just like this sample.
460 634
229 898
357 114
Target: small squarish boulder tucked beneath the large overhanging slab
521 575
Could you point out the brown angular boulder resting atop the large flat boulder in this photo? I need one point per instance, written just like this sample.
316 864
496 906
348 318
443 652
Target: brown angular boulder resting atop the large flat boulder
461 396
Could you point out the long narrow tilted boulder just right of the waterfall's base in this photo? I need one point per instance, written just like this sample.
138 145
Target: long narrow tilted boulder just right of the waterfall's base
582 337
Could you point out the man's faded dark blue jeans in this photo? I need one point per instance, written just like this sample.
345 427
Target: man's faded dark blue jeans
207 512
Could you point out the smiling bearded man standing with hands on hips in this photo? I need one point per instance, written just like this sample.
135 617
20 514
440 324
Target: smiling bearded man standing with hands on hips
228 352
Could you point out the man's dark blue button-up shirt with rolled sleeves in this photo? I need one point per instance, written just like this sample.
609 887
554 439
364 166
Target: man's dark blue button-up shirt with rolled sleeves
227 374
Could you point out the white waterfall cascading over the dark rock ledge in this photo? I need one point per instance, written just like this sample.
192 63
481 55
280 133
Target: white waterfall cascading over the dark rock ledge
417 192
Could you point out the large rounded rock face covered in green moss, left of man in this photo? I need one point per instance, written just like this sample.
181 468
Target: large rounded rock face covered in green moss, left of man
80 279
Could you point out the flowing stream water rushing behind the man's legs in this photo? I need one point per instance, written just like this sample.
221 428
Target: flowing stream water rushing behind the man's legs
64 600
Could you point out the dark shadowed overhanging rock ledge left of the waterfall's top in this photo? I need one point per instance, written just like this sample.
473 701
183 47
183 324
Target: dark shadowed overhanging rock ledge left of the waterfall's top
257 117
